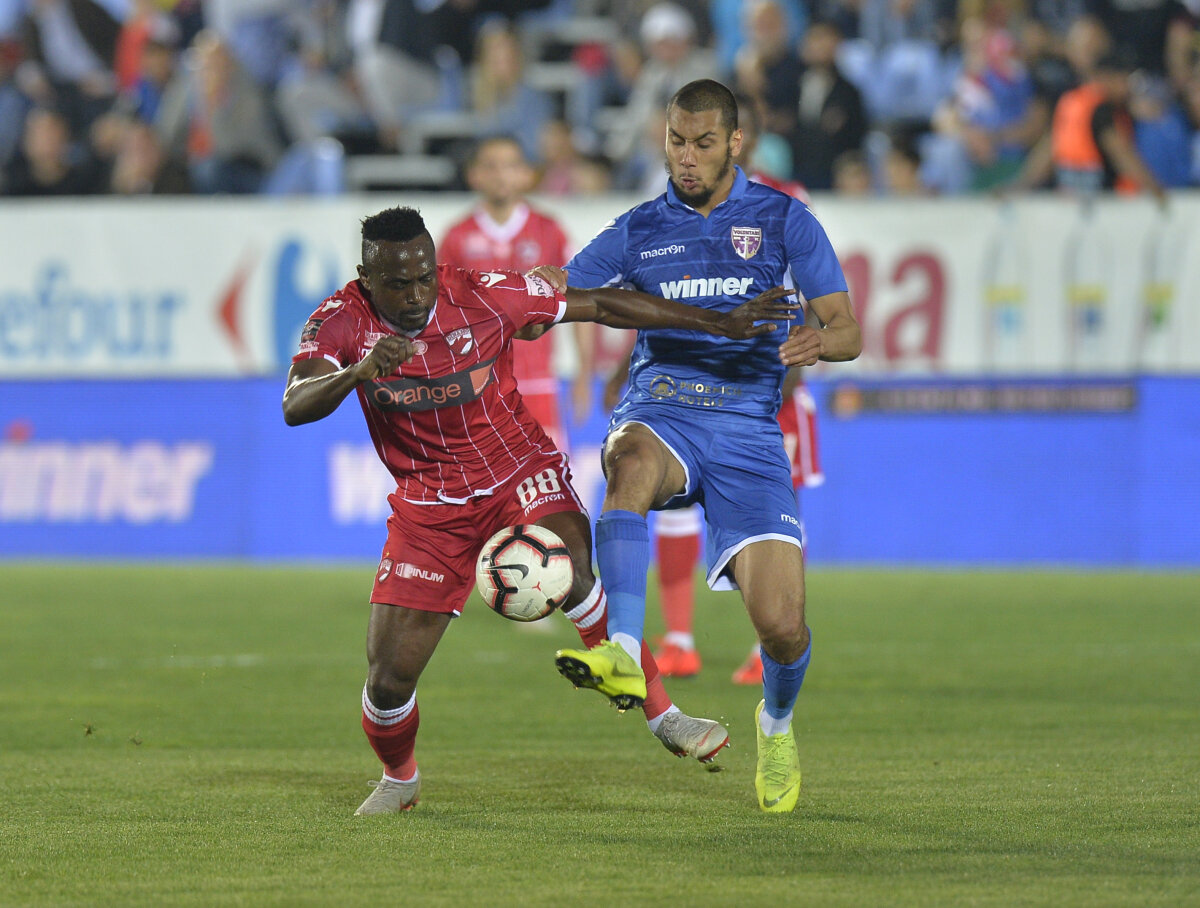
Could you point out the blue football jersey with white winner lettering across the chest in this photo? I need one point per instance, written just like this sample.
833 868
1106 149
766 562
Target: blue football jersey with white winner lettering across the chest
757 239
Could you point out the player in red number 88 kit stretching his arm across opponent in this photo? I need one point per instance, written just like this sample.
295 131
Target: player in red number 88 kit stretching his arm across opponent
428 350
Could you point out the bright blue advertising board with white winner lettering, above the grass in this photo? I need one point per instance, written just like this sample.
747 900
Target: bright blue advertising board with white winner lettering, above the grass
1051 472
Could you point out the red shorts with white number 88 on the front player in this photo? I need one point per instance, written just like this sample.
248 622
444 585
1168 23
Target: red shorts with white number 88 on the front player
429 562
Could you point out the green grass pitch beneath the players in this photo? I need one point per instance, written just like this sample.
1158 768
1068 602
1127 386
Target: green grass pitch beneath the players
190 736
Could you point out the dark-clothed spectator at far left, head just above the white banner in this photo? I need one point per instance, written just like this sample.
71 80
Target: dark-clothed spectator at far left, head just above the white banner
49 163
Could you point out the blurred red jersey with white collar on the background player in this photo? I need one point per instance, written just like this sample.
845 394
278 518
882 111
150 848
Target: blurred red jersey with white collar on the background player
526 240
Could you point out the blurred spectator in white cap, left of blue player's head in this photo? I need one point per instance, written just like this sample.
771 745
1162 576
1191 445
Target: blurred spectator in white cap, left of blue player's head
669 38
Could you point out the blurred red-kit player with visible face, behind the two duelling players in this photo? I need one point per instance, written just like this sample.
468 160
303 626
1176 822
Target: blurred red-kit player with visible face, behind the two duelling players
505 233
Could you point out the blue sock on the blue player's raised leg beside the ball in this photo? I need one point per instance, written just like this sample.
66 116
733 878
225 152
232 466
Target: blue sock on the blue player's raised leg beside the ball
623 556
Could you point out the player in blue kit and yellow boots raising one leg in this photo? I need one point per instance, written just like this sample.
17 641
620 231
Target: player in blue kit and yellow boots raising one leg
698 423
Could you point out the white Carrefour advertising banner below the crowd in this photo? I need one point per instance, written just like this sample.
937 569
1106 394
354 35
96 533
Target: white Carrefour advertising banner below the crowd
217 288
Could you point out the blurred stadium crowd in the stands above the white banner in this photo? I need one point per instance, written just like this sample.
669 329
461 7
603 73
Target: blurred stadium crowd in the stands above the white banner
863 98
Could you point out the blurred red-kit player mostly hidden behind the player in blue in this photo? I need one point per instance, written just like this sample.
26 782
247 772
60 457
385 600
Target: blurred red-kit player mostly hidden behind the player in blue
677 533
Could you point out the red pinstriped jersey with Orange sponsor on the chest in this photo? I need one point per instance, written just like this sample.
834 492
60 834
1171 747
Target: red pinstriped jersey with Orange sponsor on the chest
449 424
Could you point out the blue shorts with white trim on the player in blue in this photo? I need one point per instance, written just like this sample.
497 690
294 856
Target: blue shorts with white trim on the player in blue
736 467
